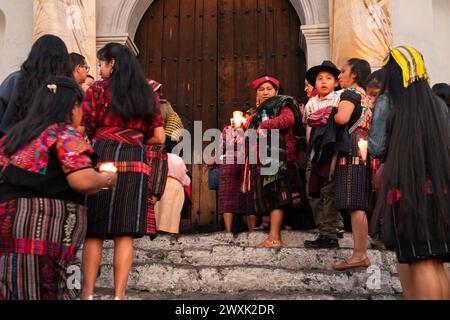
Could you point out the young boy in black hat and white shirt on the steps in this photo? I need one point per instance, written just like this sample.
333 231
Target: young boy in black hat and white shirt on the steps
320 183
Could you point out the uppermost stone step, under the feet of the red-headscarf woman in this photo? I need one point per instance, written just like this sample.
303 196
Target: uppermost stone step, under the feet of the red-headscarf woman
207 241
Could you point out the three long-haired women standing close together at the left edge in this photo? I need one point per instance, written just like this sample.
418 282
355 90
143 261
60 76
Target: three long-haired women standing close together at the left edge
47 164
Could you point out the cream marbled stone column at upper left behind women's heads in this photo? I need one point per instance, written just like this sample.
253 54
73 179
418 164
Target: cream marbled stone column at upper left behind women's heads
74 21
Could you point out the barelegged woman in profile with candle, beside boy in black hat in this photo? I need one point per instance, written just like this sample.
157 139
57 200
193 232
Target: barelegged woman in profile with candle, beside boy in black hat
352 187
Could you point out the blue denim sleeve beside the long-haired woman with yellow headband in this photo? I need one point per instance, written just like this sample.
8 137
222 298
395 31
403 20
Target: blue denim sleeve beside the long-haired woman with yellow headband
378 140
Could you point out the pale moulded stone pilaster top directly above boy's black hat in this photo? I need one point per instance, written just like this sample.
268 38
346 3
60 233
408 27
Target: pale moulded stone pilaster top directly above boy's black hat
317 38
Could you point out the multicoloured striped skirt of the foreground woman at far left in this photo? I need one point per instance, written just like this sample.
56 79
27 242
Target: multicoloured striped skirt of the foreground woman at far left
39 239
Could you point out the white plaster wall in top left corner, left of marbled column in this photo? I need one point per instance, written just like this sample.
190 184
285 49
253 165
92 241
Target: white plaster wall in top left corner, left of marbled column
17 39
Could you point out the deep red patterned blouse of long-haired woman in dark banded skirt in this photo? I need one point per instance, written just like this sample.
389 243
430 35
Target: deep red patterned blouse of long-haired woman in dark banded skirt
96 113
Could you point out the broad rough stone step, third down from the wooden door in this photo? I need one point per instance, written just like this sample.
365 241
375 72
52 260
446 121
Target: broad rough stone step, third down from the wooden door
174 279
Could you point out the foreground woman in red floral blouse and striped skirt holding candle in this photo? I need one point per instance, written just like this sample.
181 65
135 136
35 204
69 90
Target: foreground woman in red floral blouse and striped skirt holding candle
45 165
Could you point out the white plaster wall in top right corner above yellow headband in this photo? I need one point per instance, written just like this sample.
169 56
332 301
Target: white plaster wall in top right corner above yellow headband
425 24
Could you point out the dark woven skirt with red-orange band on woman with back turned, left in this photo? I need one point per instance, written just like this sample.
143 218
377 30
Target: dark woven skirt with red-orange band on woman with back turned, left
123 210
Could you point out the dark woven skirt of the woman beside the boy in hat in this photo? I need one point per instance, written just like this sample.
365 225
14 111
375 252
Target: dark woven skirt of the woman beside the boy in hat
353 187
